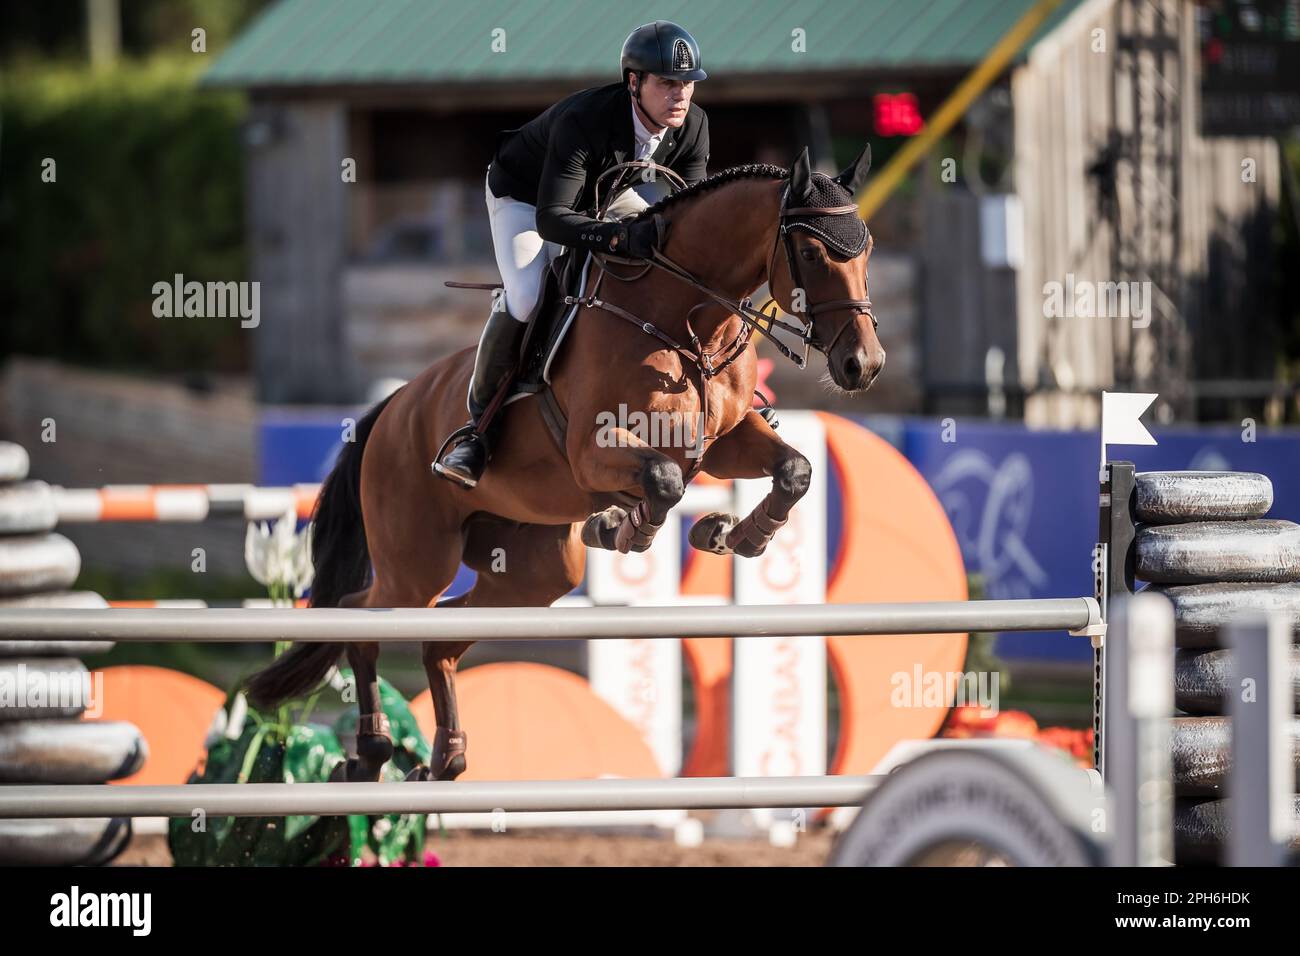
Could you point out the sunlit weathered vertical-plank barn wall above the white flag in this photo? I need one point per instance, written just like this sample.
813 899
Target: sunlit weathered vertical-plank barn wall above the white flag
1064 119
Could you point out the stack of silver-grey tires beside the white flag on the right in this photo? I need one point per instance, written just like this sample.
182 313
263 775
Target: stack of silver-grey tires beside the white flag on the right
1206 543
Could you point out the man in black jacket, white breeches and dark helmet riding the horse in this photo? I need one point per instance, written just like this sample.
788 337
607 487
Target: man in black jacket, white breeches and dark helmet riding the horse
541 189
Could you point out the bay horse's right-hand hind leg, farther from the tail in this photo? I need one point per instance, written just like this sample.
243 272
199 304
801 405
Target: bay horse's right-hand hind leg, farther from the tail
519 566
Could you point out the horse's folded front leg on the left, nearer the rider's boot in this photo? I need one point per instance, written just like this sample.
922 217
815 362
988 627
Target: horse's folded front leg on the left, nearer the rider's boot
619 465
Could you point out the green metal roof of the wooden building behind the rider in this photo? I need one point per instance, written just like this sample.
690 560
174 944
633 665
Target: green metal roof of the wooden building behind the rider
435 42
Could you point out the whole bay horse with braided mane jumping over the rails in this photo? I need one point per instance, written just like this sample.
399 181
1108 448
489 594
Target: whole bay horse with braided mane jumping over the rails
389 534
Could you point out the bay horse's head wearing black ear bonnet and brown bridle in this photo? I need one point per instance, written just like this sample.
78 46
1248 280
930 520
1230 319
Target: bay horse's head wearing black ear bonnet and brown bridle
825 274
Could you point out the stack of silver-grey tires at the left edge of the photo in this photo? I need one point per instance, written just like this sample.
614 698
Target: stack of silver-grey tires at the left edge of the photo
45 736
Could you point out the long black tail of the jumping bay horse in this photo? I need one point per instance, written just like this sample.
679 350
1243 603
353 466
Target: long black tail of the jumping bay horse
343 566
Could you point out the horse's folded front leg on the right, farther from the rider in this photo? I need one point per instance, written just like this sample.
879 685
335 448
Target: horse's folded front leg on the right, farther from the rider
752 449
